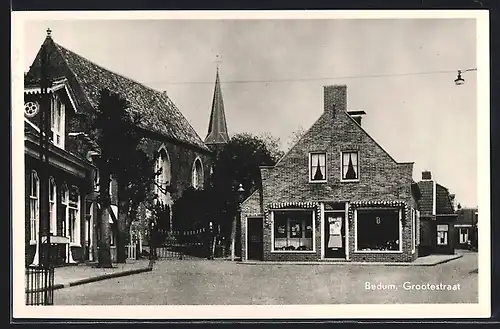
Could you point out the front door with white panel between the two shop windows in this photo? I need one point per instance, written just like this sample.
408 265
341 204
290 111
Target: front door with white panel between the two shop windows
335 235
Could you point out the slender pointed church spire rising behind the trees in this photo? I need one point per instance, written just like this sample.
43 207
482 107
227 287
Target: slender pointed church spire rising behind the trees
217 127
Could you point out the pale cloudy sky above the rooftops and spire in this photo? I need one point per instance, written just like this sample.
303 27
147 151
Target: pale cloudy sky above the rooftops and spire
399 71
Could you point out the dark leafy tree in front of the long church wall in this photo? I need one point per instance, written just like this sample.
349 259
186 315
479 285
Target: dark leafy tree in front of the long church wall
114 128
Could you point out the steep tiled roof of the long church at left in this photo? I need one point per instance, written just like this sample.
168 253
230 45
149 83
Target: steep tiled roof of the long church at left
159 113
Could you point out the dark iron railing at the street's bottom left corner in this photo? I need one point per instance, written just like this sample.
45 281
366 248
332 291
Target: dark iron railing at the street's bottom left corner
39 285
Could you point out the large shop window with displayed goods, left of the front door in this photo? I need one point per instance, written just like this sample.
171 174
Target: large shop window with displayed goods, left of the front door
293 230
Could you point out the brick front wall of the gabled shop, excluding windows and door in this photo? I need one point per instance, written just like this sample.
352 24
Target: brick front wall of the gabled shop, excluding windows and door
380 178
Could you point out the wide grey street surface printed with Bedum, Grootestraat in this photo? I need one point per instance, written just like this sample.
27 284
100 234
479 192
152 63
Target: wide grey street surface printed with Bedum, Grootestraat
205 282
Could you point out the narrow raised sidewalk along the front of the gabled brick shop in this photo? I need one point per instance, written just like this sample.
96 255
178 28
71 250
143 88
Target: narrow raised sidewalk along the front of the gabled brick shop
430 260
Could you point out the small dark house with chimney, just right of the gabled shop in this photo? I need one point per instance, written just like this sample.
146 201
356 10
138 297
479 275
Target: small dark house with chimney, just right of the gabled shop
437 217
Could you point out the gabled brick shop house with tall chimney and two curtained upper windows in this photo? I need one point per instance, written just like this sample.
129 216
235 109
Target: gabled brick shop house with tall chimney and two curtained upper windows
336 195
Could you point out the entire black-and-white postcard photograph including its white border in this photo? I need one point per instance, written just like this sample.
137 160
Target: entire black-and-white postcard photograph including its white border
251 164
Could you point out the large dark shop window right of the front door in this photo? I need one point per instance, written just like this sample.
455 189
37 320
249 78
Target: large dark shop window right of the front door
378 230
